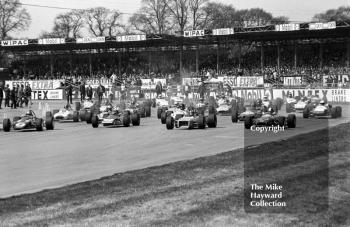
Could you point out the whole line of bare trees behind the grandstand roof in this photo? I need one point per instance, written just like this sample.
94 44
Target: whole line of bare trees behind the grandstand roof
153 17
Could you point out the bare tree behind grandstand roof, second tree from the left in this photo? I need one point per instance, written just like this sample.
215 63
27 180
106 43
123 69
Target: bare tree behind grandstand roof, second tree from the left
68 25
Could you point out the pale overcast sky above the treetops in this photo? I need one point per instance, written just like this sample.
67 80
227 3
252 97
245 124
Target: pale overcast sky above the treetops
296 10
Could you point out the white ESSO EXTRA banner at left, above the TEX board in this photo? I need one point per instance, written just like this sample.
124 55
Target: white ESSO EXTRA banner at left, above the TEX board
35 84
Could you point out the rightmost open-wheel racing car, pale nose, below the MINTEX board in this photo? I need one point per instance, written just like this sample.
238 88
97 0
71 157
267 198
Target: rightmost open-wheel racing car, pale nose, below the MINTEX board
322 110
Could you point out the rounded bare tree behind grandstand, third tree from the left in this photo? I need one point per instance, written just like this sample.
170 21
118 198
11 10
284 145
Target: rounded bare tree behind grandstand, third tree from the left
102 21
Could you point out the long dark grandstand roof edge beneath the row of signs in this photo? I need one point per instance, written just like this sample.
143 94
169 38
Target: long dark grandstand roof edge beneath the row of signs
258 35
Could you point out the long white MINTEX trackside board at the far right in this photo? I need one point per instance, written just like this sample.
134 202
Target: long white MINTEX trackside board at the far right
332 95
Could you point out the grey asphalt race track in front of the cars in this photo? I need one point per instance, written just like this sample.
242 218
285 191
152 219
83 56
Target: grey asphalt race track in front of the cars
74 152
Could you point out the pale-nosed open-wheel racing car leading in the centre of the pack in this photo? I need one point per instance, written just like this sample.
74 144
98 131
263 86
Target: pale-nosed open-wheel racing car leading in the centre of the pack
194 117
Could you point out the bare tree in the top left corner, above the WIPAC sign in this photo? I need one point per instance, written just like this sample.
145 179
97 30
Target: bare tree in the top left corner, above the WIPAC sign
13 17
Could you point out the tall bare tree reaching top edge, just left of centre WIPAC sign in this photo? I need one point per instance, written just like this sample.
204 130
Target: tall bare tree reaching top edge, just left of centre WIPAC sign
152 17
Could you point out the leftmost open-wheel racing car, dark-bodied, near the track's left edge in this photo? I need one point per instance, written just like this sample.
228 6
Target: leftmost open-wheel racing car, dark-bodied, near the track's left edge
28 121
